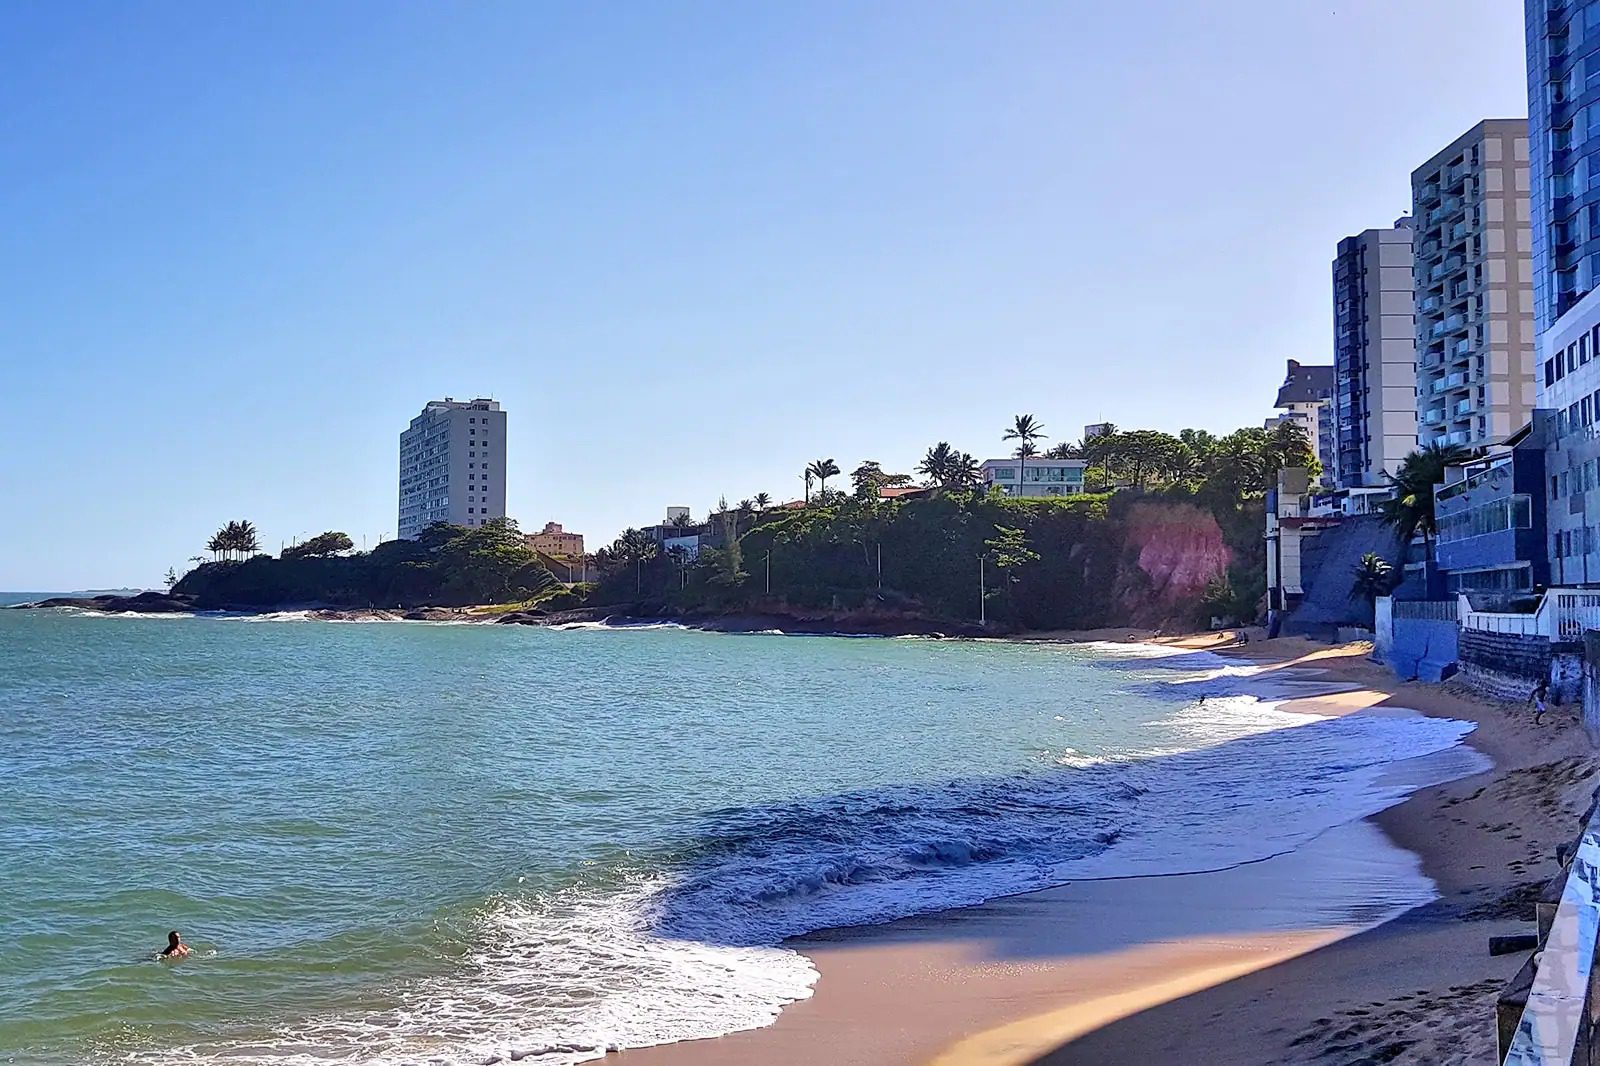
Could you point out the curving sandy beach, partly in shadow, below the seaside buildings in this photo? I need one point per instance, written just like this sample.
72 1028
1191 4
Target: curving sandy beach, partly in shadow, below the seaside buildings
1282 961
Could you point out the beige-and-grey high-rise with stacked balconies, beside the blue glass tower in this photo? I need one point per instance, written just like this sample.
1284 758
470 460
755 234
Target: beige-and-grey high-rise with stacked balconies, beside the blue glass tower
1474 287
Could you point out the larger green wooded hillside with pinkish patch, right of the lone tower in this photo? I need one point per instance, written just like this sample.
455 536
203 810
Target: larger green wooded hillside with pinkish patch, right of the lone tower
1190 502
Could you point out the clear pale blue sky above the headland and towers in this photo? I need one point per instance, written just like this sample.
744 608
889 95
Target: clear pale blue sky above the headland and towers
690 247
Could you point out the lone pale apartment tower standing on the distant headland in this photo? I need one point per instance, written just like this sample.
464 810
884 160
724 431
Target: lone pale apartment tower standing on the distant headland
454 467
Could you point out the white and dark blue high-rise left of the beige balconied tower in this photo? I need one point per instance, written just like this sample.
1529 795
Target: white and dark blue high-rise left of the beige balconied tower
1374 356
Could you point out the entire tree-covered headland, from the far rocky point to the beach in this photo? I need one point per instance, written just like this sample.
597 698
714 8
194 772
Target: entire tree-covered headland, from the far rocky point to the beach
1167 532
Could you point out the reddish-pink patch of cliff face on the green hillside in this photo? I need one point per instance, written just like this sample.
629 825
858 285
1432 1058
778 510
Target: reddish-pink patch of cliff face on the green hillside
1172 553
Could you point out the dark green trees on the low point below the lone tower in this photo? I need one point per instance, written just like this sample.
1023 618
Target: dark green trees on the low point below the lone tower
449 566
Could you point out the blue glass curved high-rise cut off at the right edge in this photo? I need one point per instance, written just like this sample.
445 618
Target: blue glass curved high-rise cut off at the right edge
1564 166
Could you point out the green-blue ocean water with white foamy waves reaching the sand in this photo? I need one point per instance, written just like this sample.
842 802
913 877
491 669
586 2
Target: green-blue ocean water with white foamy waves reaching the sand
463 844
